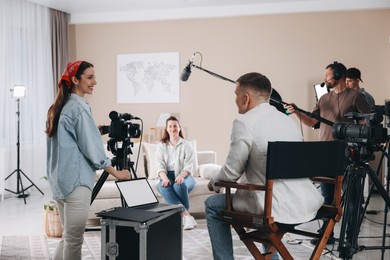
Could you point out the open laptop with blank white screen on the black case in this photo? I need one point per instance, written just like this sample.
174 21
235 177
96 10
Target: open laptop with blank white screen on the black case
138 194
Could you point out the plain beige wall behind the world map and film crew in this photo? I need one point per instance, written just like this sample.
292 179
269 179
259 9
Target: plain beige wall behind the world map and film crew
292 50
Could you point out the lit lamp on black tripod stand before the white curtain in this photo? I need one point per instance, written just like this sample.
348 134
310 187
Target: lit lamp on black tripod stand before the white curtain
17 93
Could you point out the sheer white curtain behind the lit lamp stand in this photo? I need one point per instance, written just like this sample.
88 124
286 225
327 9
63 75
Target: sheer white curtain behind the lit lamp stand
25 58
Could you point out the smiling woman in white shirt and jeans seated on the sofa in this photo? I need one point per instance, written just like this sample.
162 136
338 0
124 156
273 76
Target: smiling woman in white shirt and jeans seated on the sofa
174 164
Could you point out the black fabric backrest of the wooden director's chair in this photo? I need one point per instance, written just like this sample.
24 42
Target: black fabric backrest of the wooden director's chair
287 160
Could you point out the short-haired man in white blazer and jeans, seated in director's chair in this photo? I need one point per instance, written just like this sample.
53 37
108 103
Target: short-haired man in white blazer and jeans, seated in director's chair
296 200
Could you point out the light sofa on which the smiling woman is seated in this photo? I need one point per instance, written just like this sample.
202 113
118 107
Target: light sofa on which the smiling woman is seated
205 165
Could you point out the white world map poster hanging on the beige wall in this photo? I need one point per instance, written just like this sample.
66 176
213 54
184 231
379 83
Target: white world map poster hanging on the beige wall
148 78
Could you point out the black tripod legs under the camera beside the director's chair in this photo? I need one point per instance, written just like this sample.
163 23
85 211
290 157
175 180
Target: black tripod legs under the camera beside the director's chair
353 213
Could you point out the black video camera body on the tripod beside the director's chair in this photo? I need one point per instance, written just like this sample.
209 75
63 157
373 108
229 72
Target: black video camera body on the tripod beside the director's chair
371 133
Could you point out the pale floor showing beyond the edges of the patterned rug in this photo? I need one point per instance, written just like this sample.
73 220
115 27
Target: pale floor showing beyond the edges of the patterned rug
17 218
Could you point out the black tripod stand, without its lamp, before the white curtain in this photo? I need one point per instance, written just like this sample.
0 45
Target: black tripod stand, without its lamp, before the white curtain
19 183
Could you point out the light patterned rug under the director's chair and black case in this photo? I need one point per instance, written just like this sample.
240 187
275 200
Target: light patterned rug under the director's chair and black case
196 245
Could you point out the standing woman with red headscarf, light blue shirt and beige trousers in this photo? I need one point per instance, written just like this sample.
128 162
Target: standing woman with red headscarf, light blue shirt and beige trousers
74 151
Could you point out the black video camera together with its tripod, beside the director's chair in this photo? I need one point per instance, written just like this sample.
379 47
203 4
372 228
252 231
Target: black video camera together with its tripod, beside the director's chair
365 138
